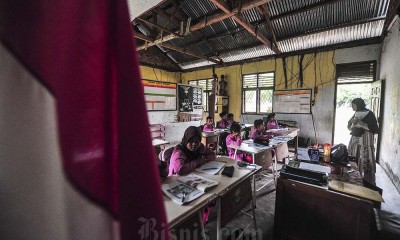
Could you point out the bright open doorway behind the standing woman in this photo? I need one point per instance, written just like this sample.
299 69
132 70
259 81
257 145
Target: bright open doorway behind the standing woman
345 93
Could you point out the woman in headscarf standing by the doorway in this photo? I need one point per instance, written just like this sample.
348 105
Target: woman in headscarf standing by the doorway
363 126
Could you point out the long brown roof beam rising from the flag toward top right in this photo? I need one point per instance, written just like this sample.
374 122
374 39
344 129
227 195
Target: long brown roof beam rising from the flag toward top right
207 21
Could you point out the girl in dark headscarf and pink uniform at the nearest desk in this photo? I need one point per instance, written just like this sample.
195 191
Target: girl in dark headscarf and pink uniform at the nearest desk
190 153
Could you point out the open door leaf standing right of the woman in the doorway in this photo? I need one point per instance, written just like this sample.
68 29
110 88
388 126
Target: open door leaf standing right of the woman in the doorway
377 97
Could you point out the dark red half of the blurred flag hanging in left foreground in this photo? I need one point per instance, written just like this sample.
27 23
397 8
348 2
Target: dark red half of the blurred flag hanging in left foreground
83 51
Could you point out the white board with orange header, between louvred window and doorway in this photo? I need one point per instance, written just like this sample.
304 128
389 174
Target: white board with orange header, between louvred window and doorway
292 101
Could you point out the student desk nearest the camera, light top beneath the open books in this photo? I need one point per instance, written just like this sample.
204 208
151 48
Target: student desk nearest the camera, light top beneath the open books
180 215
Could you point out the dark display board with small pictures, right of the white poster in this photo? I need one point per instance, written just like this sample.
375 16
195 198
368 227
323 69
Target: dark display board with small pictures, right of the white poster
189 97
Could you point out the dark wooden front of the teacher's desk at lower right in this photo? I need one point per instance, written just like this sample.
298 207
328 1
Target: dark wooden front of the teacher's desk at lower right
305 211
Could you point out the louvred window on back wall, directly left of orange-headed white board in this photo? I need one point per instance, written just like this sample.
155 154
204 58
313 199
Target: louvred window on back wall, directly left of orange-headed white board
257 92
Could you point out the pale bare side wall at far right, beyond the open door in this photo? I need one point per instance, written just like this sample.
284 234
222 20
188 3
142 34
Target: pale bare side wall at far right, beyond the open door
390 71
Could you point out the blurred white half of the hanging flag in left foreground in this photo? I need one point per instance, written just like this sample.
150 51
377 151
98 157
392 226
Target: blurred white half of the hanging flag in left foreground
36 202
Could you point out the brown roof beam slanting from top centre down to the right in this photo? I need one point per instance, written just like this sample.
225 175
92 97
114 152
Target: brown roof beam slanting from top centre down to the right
251 29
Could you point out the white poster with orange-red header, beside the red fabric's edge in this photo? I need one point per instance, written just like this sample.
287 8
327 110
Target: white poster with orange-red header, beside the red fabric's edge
159 96
